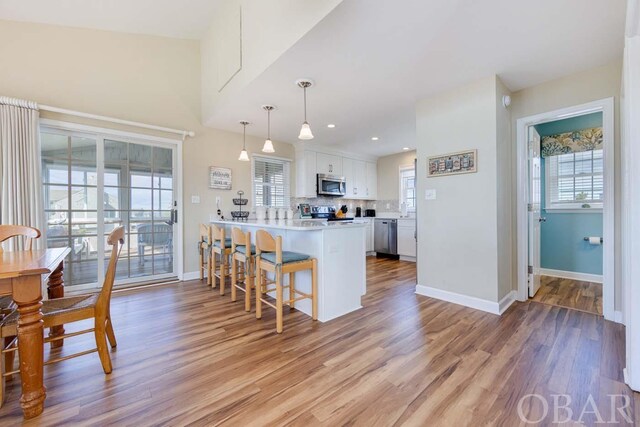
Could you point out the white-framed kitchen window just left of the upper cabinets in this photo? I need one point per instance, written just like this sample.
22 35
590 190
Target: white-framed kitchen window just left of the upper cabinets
271 183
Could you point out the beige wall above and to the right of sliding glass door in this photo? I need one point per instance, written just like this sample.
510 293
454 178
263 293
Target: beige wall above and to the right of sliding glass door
149 79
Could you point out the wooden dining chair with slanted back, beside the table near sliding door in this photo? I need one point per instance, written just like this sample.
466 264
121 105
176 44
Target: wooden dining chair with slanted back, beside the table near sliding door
61 311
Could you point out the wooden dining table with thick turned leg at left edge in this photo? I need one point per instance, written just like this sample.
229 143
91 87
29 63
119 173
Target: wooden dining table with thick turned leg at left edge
21 276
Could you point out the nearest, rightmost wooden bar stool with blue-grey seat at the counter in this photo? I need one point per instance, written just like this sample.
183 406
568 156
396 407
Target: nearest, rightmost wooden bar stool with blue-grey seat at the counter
271 258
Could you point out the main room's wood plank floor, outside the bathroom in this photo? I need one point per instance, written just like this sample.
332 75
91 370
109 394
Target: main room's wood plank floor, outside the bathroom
186 355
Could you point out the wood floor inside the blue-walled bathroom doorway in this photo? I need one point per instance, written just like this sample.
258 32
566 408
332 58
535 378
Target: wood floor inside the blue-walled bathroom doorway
575 294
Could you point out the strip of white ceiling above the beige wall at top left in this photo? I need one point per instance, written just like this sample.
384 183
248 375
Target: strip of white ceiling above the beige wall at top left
170 18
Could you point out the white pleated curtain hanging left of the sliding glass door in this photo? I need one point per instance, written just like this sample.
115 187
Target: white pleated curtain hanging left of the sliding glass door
21 189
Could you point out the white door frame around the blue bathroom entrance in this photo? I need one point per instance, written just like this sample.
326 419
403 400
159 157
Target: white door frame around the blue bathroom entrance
606 106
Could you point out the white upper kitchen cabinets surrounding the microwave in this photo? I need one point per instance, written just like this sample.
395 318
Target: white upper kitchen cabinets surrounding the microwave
361 176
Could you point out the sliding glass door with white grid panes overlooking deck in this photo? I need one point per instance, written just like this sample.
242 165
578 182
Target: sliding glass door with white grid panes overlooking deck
94 183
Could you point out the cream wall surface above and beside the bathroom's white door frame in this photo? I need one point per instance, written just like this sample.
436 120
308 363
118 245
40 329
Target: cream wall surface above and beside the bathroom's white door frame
590 85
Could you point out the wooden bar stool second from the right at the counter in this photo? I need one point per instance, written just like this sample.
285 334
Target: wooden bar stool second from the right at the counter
243 254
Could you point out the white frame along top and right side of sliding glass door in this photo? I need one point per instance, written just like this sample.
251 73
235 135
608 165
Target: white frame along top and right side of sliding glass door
134 137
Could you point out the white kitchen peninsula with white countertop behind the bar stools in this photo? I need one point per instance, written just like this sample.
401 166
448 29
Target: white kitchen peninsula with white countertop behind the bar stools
339 248
